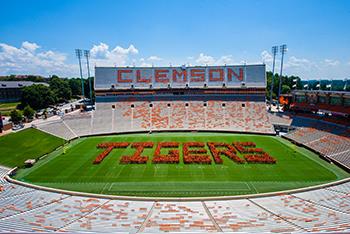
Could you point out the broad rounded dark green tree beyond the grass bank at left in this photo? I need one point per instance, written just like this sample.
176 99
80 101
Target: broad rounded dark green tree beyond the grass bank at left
37 96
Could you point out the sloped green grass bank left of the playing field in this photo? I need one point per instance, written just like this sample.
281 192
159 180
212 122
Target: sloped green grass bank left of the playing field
17 147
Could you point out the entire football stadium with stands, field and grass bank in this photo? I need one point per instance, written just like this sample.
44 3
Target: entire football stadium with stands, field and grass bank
182 149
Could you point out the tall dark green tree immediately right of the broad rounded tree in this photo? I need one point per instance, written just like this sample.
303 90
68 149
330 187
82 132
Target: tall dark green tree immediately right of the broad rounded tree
61 88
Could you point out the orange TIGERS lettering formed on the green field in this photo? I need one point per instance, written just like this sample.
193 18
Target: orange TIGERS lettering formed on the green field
193 152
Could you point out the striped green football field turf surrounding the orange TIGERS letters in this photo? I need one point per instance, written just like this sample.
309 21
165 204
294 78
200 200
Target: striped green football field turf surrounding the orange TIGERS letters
73 170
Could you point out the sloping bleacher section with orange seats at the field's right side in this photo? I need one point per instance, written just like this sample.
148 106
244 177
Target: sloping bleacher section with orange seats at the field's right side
330 145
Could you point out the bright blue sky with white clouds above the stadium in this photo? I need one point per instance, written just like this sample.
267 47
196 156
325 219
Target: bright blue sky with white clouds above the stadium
39 37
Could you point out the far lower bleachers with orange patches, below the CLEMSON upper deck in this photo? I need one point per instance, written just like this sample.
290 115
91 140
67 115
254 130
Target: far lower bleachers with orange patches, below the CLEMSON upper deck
155 116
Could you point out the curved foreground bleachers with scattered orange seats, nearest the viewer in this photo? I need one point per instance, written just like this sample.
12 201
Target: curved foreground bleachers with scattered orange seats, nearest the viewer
24 209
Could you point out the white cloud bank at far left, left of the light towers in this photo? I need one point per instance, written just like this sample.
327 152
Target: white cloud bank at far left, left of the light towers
26 60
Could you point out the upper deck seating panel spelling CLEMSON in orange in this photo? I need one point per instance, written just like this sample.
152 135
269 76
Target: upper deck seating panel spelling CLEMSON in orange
180 77
